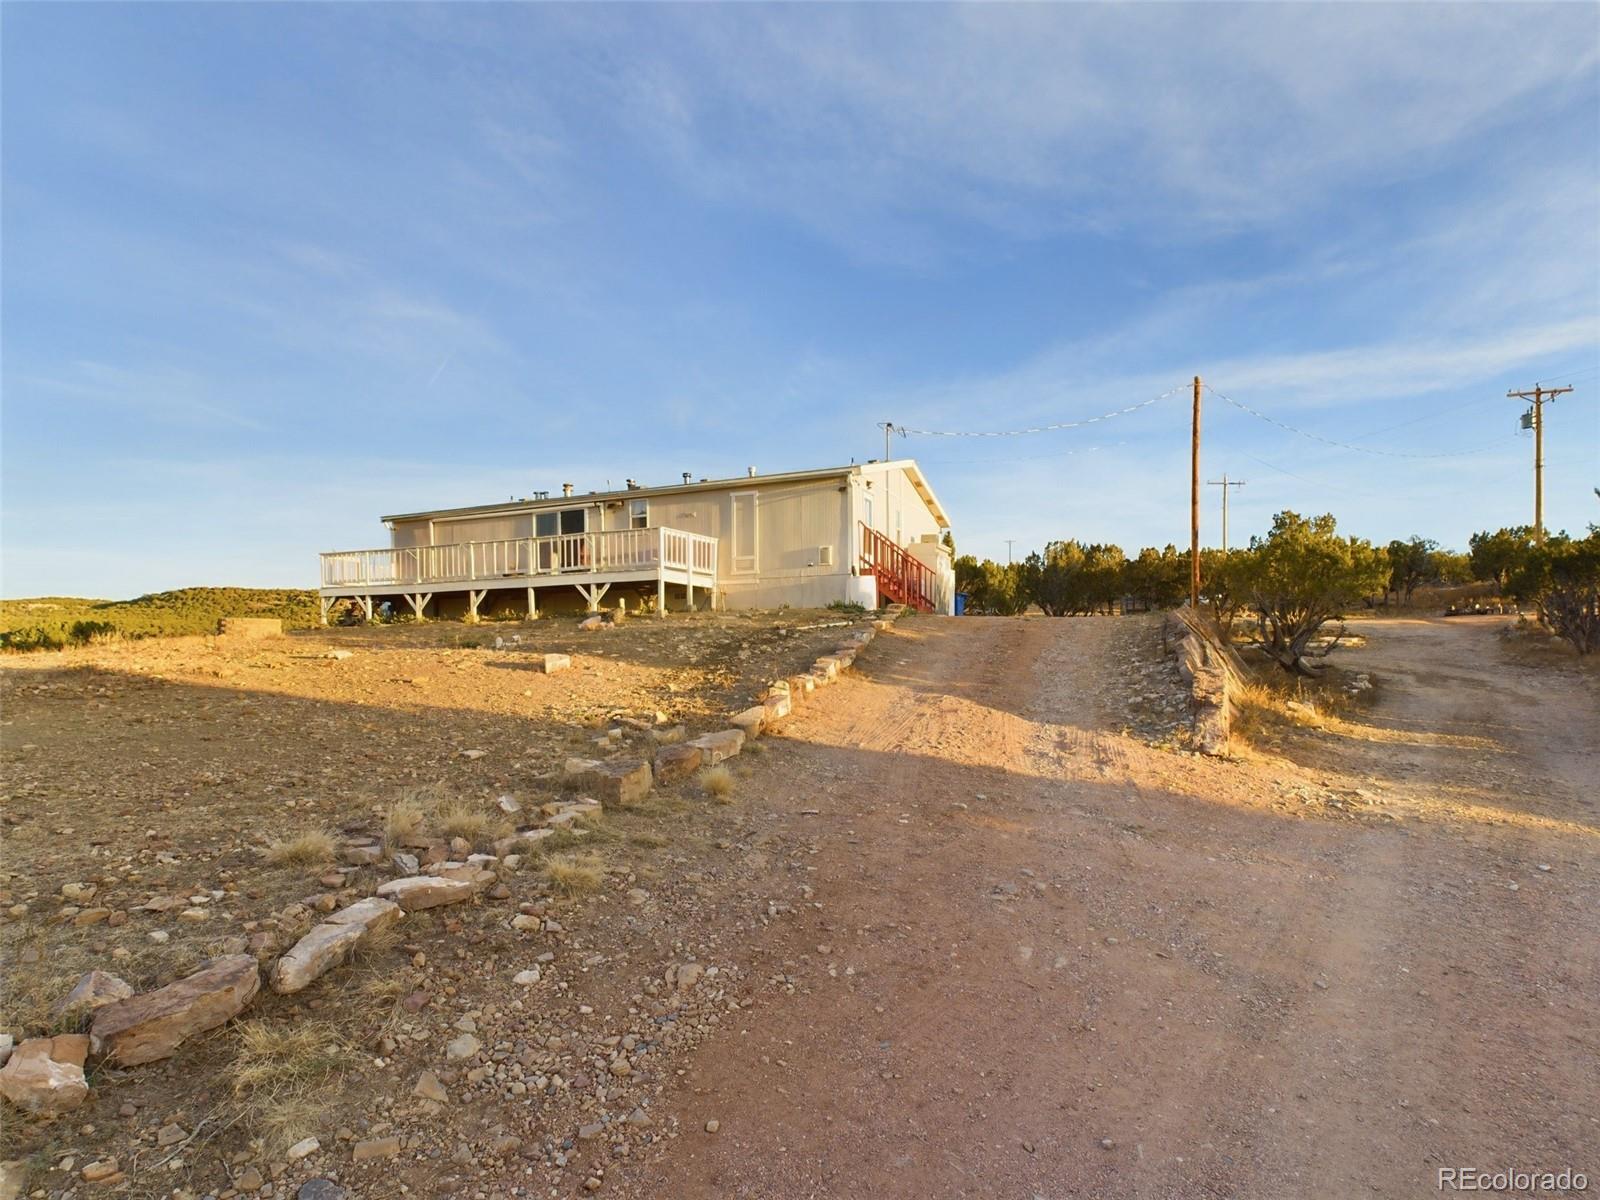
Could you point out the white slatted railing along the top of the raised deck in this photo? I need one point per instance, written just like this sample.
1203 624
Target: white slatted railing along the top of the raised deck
522 558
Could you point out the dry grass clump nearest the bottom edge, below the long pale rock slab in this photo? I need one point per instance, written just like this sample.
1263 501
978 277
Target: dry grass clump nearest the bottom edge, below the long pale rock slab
282 1078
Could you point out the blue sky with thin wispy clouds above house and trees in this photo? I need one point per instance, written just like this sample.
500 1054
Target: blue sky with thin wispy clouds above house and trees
274 270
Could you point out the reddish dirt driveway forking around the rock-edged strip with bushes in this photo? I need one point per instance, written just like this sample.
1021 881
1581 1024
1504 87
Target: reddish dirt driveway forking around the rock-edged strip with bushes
1046 959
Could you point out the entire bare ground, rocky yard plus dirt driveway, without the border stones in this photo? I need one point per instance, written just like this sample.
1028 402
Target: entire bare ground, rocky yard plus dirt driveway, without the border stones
972 922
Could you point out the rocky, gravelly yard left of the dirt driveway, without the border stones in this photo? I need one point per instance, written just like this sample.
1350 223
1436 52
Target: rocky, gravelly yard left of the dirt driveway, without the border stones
148 782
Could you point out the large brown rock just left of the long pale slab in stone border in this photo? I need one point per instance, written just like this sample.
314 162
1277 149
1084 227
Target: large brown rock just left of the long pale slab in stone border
151 1026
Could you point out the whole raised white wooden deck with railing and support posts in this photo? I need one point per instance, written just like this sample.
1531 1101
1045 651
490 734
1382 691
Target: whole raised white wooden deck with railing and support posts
591 562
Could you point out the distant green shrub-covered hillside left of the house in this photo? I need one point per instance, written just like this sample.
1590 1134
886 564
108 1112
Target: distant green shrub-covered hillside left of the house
54 622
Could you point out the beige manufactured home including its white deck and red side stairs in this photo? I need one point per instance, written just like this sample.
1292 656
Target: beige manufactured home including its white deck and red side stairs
866 534
